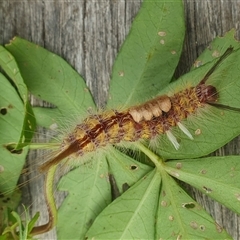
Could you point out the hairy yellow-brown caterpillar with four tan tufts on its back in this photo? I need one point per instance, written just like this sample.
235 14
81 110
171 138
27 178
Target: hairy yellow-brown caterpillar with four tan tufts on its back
143 122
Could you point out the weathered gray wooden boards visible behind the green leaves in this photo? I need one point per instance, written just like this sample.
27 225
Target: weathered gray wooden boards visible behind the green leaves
88 35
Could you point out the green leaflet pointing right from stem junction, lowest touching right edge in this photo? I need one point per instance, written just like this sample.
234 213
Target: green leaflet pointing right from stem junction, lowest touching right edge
217 177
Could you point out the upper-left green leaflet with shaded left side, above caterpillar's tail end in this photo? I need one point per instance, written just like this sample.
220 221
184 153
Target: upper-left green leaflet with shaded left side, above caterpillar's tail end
50 78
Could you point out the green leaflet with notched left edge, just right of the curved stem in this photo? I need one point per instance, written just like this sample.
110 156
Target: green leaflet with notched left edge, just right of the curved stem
89 193
